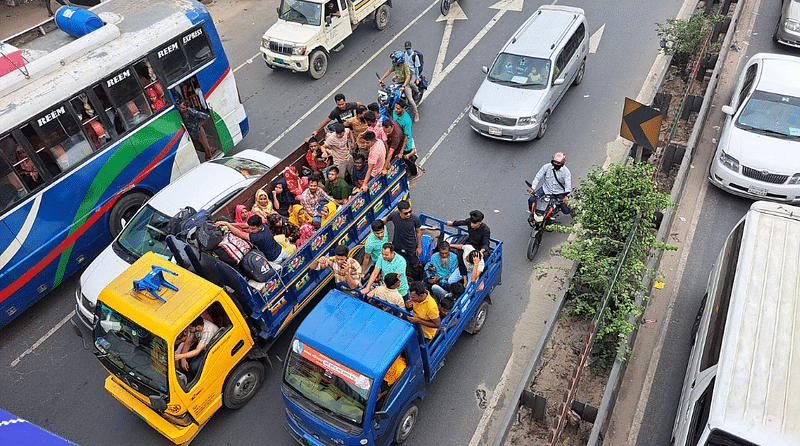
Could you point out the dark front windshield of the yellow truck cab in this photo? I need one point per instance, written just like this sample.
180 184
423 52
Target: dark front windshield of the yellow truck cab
136 353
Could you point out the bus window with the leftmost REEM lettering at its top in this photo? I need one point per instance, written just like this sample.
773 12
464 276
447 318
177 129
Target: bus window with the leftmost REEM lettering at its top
61 139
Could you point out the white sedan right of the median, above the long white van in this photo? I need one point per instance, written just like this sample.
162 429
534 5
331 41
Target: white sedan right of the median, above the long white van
758 155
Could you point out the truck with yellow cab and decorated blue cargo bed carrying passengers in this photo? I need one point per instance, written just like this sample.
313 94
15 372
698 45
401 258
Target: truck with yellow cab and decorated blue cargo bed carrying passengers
135 328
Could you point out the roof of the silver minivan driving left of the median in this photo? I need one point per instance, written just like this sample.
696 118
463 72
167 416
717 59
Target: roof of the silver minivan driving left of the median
552 21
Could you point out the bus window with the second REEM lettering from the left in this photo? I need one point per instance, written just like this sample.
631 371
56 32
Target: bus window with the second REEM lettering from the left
126 94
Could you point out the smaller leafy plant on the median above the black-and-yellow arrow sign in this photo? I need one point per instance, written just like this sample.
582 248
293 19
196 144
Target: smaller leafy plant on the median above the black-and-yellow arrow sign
683 39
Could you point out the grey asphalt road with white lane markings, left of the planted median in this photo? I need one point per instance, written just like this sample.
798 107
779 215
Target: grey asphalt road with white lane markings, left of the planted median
59 386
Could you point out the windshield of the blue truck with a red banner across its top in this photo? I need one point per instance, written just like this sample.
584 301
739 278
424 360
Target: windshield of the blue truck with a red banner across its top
336 388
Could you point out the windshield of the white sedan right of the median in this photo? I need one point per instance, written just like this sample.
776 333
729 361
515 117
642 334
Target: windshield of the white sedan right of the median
771 113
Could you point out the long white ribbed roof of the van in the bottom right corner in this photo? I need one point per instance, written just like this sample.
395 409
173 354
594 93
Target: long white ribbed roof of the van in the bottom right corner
757 389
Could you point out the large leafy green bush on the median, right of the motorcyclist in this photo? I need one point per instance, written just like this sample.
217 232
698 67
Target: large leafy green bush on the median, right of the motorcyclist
606 206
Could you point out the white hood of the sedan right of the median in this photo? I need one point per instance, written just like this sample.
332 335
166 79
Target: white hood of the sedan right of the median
763 152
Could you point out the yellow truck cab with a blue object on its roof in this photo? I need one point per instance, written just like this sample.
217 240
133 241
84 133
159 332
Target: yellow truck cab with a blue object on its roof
139 355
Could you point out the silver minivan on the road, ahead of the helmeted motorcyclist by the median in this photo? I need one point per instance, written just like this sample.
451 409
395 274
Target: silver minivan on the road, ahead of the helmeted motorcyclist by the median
531 74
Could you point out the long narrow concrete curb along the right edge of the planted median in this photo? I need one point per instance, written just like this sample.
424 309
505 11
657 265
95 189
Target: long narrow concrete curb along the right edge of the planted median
618 370
